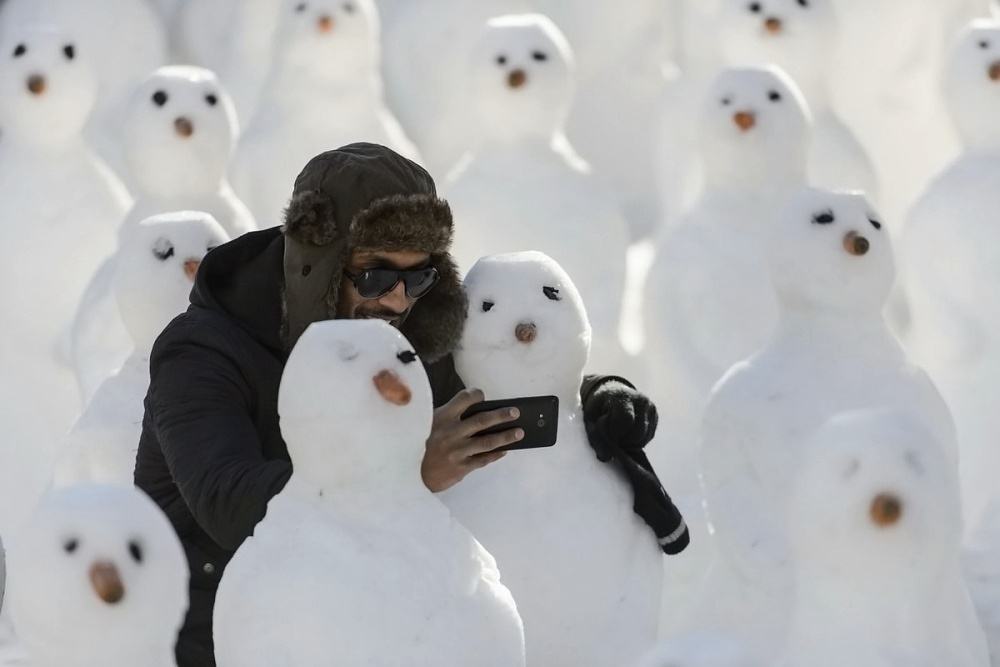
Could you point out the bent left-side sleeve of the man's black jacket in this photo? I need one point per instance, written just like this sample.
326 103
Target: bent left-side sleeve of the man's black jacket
201 409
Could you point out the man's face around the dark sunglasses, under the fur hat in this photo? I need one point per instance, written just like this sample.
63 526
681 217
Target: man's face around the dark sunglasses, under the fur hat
394 306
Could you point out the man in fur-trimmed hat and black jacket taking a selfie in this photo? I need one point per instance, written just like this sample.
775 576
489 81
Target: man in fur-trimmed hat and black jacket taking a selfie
365 235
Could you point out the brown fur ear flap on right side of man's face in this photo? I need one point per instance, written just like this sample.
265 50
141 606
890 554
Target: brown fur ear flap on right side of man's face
434 326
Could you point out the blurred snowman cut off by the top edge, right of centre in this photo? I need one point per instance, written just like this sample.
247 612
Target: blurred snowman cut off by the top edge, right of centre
800 36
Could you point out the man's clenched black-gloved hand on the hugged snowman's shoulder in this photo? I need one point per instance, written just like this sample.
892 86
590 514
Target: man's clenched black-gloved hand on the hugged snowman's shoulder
615 414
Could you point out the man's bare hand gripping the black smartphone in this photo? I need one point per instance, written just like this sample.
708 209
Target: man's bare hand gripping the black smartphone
454 450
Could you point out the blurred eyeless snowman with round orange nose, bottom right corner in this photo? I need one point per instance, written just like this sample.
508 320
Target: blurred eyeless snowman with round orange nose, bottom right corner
874 527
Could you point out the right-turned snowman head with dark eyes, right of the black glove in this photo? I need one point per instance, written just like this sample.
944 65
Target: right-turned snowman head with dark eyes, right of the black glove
829 251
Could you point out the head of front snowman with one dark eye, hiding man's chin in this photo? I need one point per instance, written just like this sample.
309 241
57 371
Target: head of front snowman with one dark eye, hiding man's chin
355 404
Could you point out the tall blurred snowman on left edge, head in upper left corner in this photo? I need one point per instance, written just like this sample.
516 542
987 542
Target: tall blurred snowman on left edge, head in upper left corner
58 207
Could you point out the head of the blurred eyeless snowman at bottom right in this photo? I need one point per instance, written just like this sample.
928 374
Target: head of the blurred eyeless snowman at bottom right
897 514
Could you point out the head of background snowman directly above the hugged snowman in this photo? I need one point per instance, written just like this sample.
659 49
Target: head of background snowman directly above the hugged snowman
521 77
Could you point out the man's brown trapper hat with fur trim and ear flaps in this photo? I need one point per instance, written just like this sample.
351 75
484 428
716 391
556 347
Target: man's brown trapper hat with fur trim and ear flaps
367 197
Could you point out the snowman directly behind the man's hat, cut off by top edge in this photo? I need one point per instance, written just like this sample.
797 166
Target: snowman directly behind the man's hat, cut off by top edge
324 91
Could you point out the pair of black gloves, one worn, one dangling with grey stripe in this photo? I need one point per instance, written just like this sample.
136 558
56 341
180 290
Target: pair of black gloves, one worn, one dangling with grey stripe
620 422
